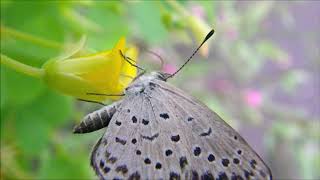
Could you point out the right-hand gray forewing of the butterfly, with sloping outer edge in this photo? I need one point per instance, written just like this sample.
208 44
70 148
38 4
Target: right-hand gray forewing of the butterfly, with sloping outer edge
211 143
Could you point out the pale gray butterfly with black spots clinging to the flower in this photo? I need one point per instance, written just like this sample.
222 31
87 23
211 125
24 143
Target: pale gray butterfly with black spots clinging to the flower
157 131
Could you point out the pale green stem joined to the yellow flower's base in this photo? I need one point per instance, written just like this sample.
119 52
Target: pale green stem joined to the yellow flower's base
22 68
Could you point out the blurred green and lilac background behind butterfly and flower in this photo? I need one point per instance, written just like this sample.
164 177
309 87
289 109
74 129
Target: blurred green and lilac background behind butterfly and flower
261 74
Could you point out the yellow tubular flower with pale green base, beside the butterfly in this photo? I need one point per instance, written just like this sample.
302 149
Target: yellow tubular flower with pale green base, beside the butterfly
105 73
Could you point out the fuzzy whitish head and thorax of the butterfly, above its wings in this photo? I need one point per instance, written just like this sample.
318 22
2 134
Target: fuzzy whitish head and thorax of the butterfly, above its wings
144 81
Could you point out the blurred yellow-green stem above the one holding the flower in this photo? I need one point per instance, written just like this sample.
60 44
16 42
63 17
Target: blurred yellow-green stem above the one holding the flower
30 38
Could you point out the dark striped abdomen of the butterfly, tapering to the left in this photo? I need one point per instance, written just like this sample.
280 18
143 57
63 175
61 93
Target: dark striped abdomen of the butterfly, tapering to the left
97 119
